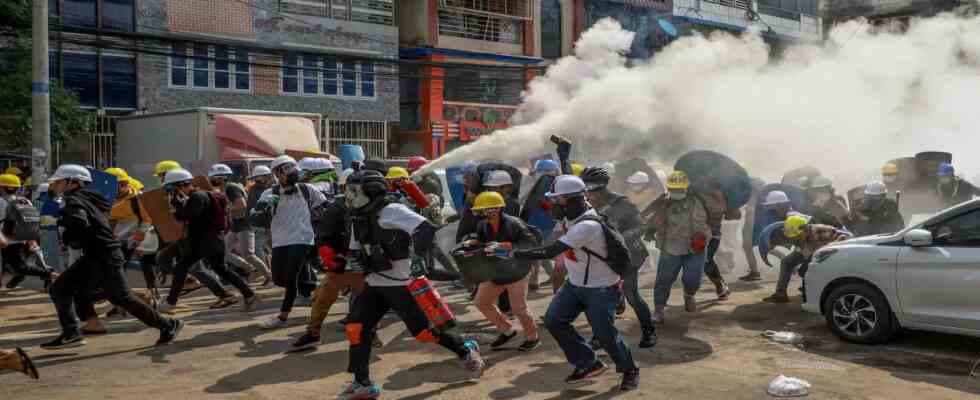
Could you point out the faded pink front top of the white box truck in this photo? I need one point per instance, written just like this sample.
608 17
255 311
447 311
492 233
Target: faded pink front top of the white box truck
257 136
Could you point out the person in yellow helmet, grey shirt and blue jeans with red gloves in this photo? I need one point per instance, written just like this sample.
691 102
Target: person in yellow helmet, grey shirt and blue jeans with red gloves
679 224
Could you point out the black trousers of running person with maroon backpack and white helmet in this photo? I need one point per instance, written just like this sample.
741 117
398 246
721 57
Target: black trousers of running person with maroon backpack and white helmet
212 250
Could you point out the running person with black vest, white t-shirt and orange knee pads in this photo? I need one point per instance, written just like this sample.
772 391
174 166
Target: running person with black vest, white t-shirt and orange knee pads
384 233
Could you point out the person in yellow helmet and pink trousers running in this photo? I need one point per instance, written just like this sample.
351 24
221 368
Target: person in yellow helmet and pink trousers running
499 229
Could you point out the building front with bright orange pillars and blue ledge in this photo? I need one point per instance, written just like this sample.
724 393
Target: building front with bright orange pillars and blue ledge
464 66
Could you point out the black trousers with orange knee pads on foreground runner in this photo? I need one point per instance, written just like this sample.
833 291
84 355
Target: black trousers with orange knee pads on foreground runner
368 309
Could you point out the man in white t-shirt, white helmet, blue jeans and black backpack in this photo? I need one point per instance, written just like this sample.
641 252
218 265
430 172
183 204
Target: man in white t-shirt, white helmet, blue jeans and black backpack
592 287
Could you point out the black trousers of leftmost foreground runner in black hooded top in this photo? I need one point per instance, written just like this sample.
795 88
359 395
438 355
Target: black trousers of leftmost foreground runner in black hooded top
75 286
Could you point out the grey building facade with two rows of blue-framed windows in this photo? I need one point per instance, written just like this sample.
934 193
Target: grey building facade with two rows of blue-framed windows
336 58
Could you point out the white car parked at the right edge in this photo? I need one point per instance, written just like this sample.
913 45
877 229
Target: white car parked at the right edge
925 277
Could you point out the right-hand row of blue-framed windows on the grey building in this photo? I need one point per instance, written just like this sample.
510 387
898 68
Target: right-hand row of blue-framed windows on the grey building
312 75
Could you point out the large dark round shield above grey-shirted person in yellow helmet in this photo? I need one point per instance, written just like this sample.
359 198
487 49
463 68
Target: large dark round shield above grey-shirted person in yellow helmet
709 170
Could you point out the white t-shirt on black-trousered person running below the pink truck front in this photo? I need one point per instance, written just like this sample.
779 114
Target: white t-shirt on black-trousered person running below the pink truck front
291 224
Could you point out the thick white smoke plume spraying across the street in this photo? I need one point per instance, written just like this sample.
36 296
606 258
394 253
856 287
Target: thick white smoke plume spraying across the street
846 105
